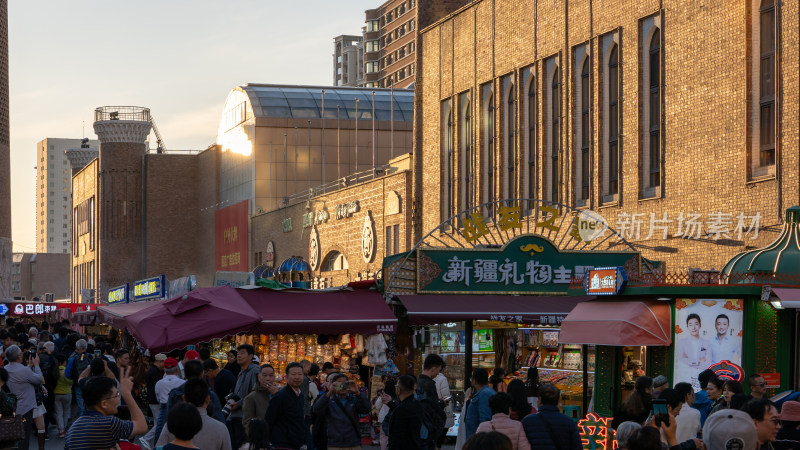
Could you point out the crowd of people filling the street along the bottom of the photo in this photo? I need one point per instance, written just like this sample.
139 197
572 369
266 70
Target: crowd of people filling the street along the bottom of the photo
96 394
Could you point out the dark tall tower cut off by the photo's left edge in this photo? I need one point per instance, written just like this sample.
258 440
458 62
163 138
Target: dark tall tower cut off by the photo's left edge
5 159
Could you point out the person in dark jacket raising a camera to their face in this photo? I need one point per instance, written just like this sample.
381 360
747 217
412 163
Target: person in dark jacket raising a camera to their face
342 405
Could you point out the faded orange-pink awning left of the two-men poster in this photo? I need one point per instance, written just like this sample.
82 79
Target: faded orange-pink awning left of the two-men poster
634 322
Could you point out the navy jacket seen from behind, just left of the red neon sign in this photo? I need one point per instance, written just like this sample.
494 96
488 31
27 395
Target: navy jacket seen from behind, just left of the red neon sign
564 430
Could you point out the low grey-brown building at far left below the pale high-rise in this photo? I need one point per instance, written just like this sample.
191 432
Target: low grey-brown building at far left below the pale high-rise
39 274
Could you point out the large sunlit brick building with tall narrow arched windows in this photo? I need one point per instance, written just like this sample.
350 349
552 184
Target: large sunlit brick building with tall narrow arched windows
647 113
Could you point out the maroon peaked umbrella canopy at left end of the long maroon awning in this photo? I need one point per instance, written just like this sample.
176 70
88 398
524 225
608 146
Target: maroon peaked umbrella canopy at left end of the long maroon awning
198 316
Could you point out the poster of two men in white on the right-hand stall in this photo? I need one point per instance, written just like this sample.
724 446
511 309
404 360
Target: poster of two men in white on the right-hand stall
707 331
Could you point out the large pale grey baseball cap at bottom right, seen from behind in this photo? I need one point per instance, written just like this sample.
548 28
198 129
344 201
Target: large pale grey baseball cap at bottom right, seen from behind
730 429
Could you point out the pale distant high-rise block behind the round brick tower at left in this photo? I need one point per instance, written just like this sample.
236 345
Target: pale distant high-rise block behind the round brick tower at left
53 193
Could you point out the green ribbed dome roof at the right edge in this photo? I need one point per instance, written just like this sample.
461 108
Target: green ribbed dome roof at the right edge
782 257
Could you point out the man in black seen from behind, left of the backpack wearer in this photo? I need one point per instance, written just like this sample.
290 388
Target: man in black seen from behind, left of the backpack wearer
405 420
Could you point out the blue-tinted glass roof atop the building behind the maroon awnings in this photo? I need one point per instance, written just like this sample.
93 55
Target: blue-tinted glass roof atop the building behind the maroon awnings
306 102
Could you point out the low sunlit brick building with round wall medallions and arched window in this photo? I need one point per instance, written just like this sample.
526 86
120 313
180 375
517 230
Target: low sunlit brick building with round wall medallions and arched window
352 228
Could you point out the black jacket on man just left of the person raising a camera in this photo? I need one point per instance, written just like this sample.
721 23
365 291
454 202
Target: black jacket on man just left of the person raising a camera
285 419
